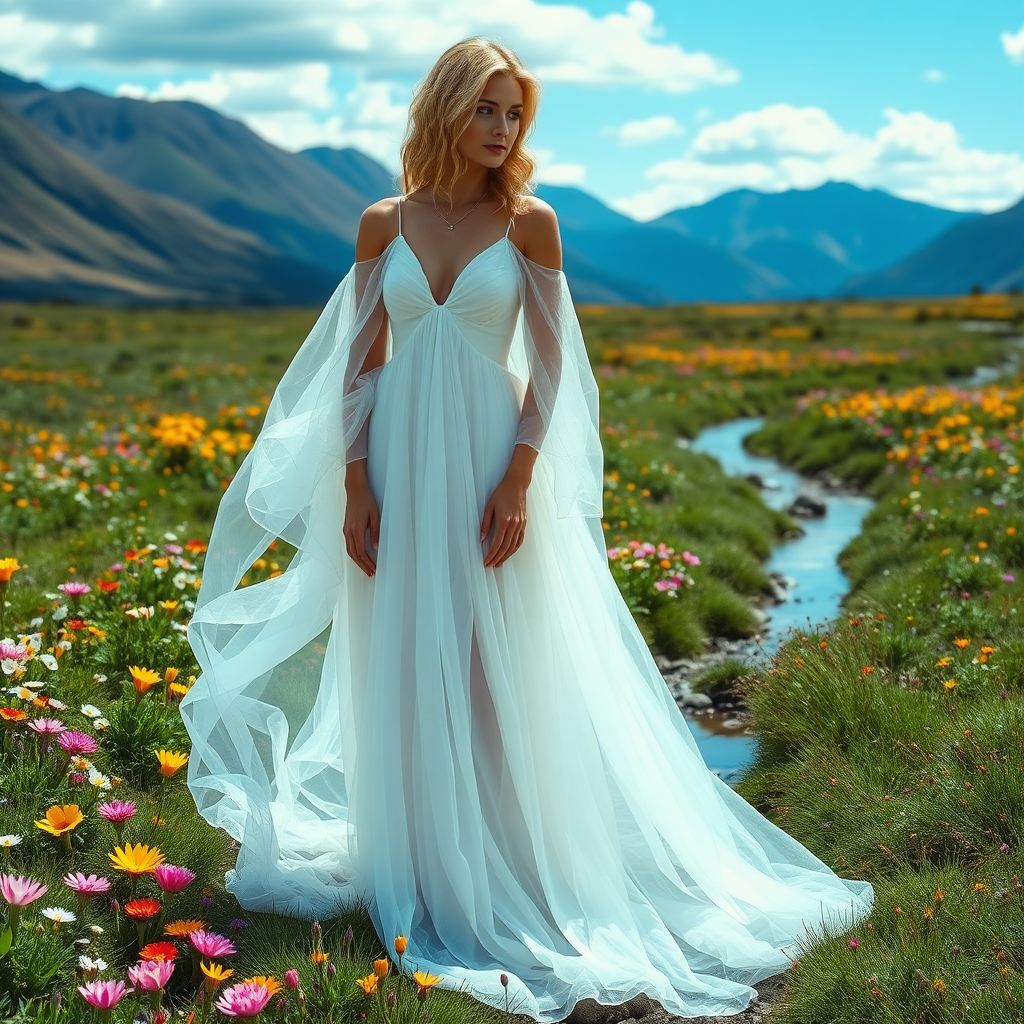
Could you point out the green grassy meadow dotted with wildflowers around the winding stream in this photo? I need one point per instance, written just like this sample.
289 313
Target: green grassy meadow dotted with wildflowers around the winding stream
892 745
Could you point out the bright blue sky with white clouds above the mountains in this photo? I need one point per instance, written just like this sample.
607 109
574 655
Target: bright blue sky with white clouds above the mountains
650 105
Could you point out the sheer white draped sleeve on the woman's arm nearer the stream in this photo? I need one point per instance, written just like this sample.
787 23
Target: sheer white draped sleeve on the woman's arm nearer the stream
561 407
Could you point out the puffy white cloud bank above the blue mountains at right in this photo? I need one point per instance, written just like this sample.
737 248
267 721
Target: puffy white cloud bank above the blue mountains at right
782 147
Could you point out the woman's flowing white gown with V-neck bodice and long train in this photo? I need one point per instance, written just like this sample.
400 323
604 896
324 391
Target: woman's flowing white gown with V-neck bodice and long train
487 759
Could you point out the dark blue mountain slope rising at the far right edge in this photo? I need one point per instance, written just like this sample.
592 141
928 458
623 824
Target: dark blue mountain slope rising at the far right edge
988 250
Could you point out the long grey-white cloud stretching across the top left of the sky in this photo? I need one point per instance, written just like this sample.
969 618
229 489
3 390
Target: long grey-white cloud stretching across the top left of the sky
563 42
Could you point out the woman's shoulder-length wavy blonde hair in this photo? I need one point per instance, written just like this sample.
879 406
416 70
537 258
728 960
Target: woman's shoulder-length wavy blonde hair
445 103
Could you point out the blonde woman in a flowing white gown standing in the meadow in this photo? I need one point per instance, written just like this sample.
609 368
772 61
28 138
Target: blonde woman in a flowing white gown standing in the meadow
444 710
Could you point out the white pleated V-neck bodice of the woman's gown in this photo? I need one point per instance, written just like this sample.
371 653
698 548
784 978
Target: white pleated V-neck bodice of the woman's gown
483 306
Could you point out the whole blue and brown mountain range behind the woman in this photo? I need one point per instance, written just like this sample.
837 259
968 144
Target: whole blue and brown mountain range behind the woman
118 200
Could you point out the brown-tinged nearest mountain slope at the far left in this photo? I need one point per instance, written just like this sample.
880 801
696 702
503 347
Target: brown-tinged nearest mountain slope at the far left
68 229
